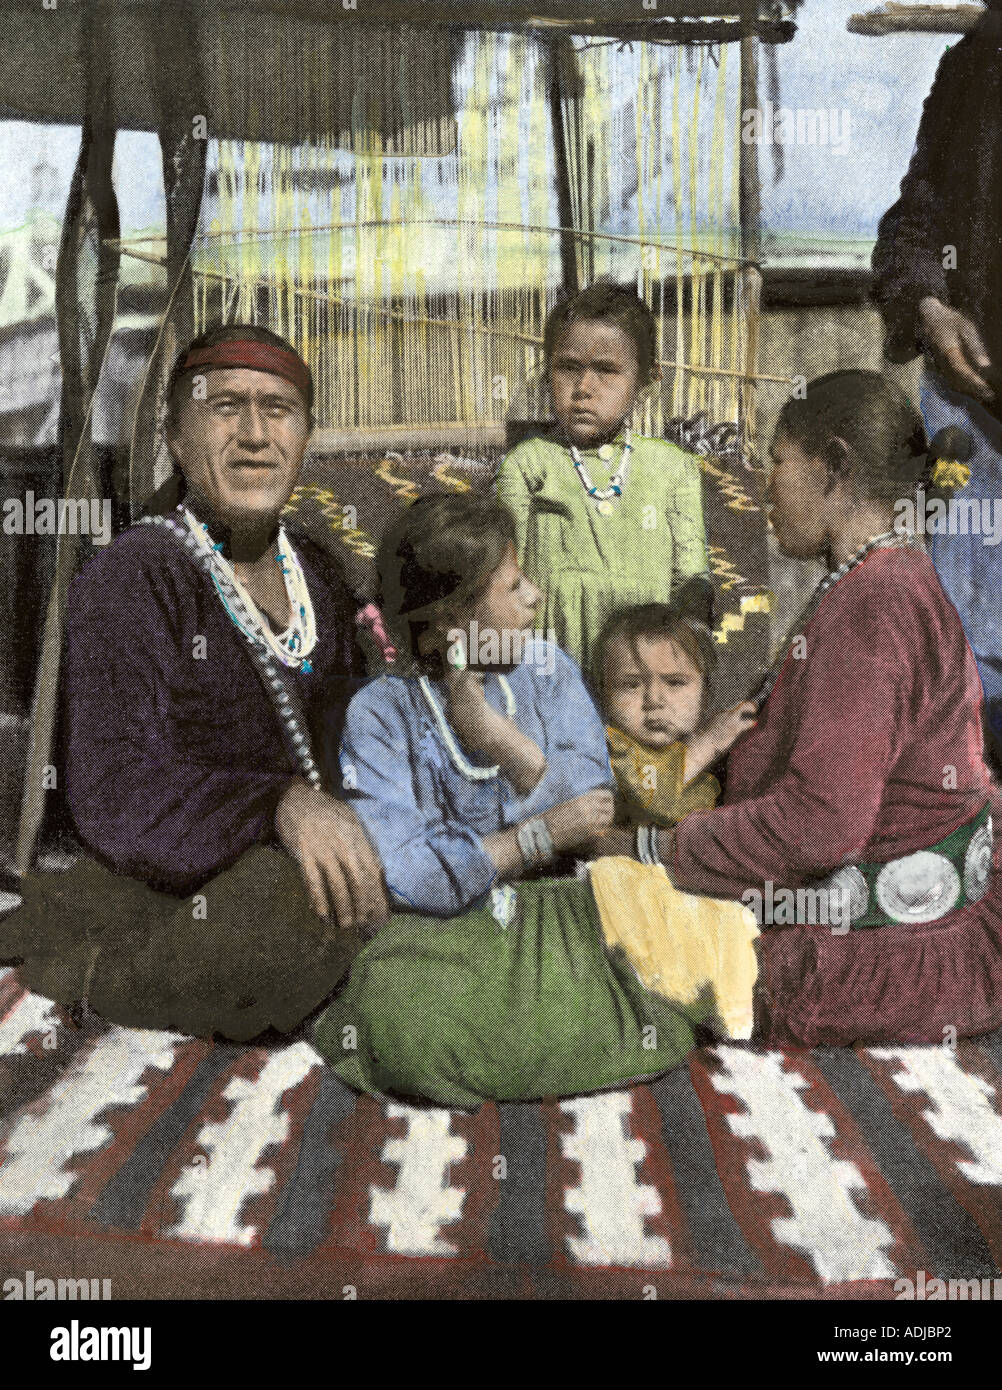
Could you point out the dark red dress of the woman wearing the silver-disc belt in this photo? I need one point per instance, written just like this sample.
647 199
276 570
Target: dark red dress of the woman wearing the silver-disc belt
869 749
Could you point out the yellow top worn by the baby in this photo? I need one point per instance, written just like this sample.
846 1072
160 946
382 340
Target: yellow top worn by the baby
651 782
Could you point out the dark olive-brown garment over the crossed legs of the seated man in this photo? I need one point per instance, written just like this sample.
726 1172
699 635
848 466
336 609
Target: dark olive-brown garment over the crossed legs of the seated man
243 956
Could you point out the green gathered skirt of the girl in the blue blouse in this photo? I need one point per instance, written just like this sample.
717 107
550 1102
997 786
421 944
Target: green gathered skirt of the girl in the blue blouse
468 1010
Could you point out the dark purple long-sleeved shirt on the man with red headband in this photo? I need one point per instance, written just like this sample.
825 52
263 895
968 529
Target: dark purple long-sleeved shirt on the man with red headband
177 762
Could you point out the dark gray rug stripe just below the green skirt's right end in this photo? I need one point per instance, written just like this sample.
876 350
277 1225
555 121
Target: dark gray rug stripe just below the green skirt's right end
719 1245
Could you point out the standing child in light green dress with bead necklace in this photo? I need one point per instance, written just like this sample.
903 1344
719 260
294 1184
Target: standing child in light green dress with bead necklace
604 518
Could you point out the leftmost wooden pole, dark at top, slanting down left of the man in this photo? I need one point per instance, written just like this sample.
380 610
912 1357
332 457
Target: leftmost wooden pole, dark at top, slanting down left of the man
87 280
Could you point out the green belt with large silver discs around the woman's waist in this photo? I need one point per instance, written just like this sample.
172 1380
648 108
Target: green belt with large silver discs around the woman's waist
919 888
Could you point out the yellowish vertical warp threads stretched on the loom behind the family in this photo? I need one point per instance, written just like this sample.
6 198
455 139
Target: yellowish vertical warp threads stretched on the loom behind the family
413 259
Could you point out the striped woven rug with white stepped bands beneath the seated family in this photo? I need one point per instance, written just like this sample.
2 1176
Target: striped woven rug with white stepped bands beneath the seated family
177 1168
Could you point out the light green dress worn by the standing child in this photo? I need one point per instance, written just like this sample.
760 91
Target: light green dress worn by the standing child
589 564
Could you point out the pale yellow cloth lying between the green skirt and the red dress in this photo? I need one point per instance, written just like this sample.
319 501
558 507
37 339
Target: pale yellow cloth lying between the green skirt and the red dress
679 945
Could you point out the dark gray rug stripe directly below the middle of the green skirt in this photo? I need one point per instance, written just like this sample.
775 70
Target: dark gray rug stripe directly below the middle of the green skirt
518 1231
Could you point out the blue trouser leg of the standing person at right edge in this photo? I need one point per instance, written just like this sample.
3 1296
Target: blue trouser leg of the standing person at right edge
971 566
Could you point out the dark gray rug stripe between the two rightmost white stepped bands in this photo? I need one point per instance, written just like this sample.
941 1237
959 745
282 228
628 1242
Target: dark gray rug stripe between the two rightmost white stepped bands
951 1238
